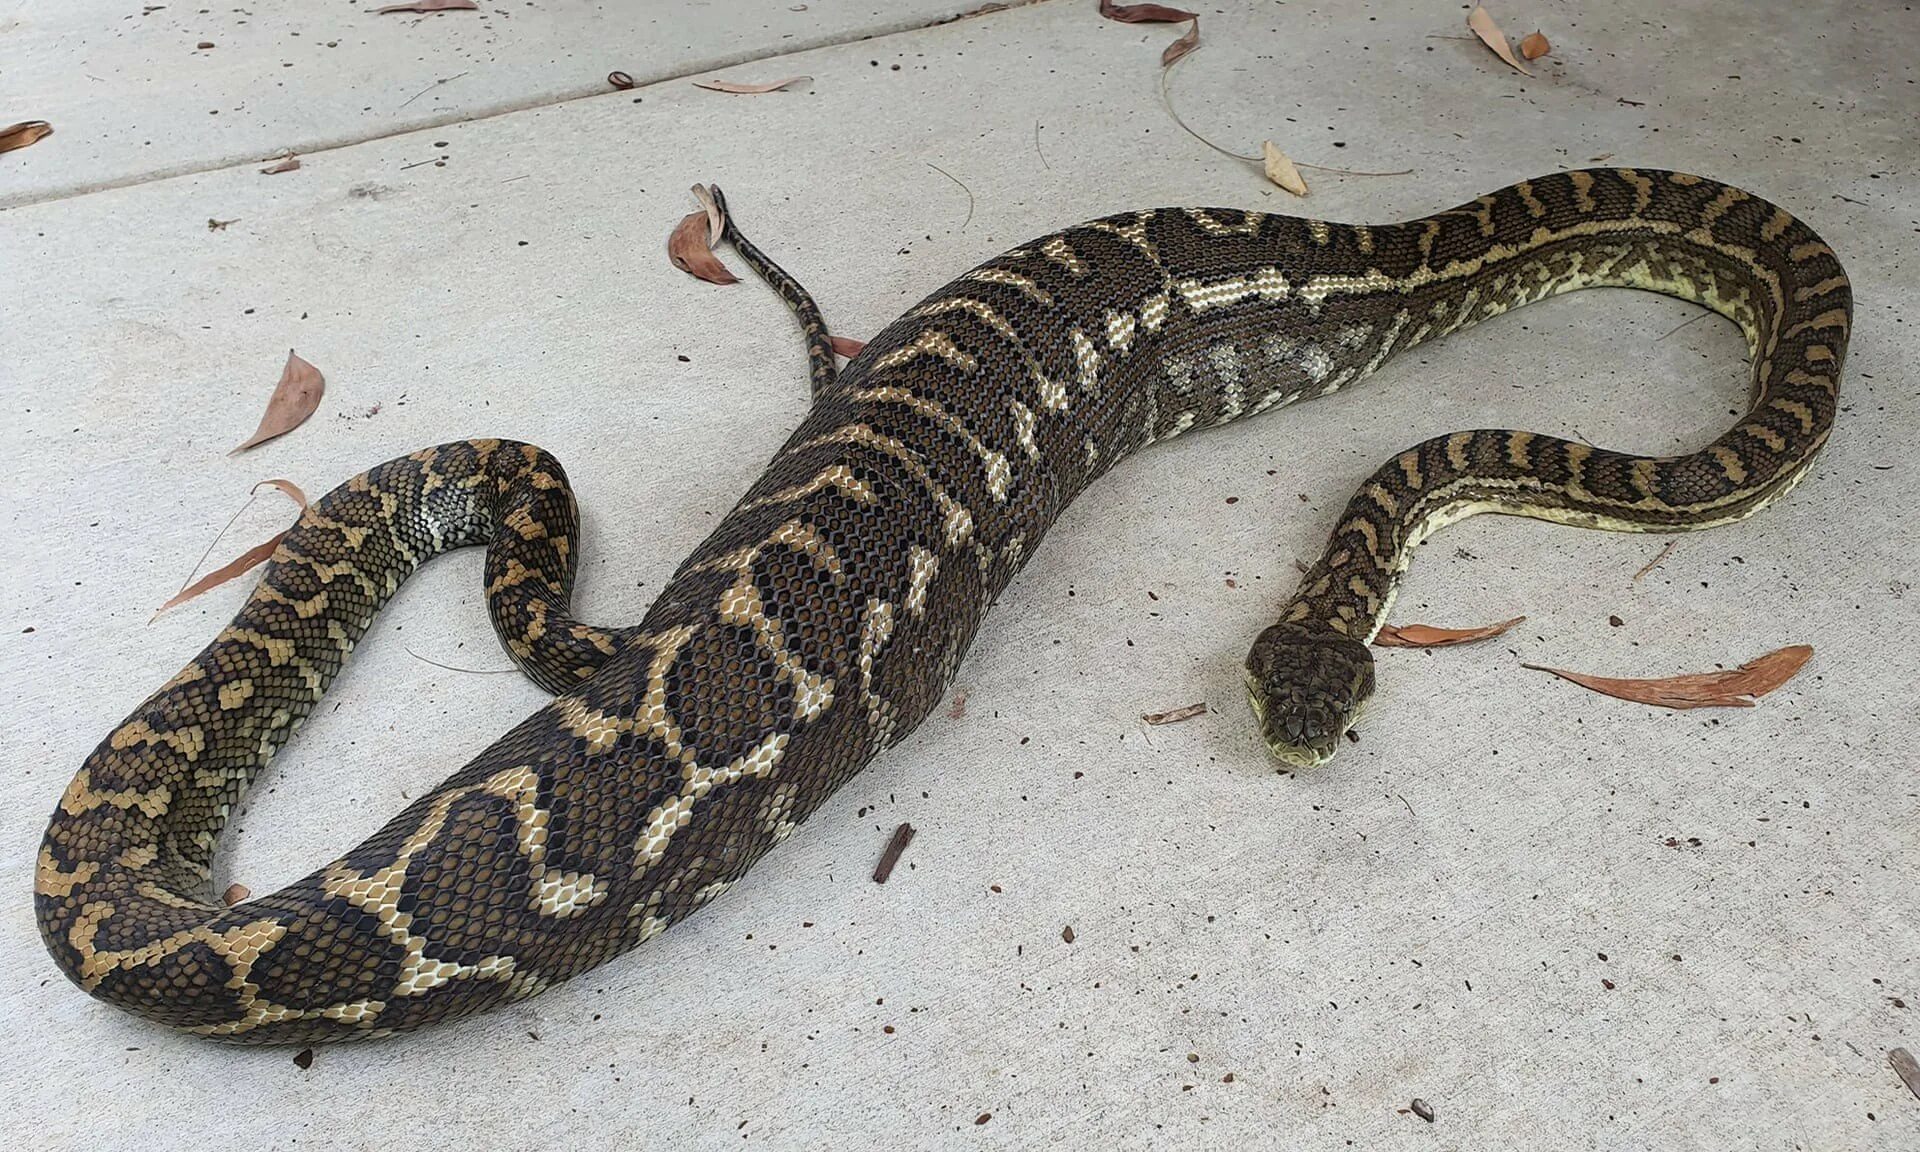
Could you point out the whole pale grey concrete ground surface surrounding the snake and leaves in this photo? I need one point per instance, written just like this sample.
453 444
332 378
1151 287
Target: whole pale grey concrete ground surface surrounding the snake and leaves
1564 921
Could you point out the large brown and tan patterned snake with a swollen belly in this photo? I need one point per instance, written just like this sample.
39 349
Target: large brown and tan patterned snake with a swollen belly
827 615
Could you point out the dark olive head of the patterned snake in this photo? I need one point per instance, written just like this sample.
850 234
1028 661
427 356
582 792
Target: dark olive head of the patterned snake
1307 686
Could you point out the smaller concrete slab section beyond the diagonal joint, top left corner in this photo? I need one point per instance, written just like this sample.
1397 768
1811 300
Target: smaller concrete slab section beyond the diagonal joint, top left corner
145 91
